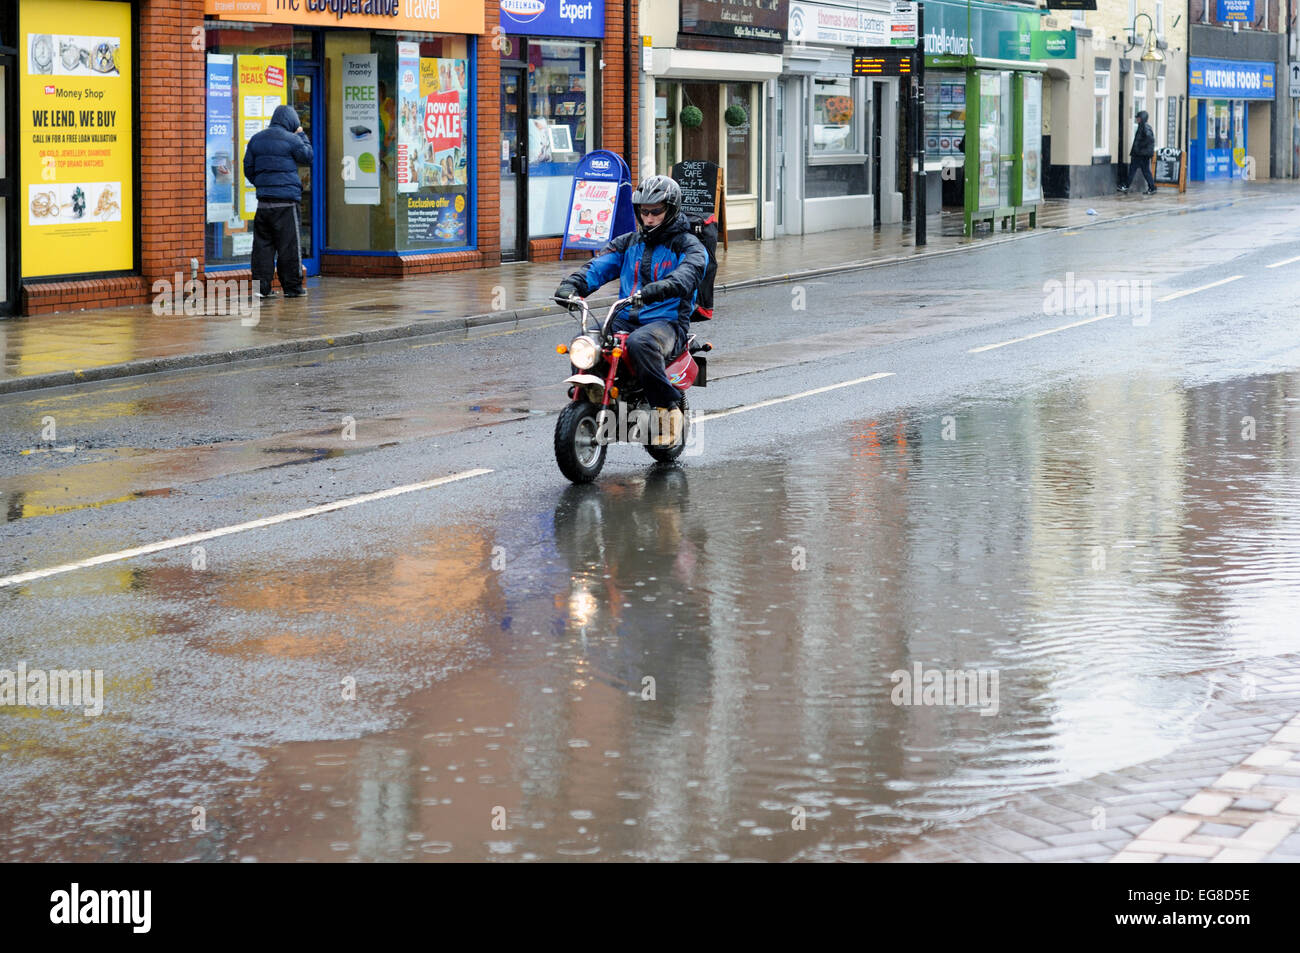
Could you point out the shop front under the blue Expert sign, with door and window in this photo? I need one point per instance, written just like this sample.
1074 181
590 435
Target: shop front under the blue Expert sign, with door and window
551 116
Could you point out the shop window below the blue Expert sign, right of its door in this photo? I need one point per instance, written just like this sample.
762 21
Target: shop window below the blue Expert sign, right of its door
561 128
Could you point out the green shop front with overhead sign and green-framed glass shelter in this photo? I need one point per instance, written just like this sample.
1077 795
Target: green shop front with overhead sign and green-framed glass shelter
983 123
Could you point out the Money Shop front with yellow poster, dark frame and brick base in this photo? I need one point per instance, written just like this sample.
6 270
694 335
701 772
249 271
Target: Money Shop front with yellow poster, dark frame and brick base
70 157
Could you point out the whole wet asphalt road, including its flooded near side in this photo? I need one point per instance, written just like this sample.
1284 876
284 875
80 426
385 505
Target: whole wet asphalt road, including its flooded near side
461 672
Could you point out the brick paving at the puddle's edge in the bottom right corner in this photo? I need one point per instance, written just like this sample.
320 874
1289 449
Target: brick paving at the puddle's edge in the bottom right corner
1230 795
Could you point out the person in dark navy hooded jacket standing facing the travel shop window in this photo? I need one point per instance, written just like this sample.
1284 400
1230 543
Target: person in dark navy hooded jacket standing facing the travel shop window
271 163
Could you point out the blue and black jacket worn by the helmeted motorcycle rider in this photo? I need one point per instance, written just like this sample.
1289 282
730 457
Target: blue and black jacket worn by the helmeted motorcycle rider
668 274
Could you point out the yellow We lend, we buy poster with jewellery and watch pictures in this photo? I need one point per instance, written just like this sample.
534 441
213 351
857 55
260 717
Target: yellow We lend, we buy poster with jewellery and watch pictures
75 131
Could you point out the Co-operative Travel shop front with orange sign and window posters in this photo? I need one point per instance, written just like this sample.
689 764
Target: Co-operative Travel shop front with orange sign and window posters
389 102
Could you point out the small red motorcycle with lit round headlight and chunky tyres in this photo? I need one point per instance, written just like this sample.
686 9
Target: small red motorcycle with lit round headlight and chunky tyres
608 404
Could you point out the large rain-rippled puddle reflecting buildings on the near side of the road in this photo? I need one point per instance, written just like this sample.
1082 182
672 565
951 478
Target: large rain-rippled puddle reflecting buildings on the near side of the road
690 664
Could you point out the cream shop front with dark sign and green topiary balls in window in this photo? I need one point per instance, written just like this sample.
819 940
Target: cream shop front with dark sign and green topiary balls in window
710 66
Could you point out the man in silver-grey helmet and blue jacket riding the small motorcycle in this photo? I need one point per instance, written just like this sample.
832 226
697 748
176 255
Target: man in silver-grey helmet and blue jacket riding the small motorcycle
662 263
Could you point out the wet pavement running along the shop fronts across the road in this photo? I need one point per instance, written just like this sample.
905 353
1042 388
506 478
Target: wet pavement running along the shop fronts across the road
81 346
